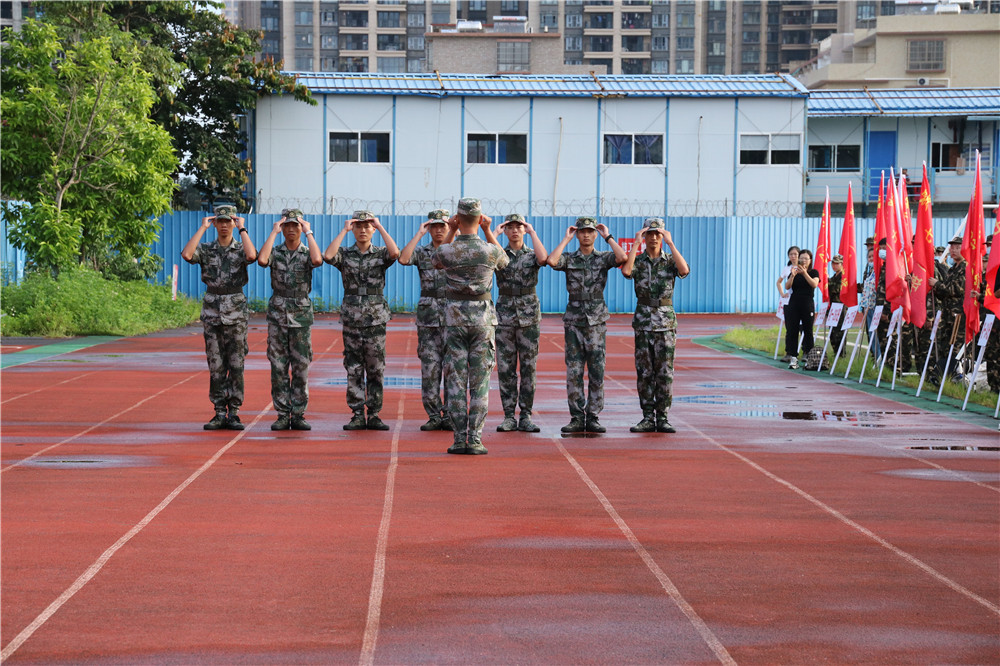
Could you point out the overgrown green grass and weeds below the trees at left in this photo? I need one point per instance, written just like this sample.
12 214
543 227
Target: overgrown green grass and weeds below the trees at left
80 301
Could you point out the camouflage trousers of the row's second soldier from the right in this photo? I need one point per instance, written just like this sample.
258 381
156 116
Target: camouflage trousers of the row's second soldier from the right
585 349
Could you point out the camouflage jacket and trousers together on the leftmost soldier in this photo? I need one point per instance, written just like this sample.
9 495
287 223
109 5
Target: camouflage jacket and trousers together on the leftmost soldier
224 316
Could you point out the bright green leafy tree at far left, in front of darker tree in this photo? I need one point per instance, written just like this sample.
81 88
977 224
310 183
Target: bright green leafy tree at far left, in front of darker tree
78 145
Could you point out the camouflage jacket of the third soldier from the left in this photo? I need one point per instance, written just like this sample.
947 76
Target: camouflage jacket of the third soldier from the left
363 273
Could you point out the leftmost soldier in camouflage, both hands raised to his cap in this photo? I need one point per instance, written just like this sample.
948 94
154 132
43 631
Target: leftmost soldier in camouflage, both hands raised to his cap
224 312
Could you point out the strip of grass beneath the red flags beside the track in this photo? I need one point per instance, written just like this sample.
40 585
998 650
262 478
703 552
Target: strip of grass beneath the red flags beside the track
762 340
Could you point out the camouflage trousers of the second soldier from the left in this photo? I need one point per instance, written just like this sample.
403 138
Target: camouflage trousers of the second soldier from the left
290 352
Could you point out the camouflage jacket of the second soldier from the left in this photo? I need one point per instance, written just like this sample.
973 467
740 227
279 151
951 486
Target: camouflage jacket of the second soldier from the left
291 282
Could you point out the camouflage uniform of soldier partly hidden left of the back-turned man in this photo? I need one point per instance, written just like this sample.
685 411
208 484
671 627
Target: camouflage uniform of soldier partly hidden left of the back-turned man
431 330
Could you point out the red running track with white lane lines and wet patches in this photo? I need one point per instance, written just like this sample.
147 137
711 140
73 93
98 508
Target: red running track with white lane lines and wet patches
130 535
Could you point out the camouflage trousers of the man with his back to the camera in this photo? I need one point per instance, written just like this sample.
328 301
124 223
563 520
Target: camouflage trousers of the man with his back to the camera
469 358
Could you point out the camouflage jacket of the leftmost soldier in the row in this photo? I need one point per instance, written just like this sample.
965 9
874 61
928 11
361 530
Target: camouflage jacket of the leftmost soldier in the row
223 268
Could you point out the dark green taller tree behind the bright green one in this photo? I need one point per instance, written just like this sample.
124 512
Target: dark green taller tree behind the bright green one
221 82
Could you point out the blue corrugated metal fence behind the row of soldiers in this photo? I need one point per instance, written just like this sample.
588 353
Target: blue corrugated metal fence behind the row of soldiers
734 261
